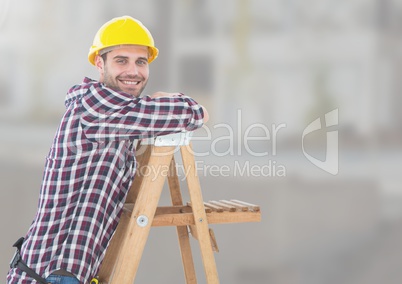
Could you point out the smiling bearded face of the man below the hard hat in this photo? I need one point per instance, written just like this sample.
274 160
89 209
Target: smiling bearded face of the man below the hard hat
125 69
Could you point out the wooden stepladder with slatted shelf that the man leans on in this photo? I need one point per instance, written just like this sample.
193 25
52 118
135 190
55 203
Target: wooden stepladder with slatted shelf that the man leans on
155 162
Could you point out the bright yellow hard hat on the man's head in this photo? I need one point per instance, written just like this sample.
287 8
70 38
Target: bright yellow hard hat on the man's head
122 31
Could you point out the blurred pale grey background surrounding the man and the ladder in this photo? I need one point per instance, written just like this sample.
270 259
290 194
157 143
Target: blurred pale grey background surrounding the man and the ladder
256 62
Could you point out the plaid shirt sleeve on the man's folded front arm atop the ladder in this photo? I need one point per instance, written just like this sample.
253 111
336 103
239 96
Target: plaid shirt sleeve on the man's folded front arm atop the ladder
111 115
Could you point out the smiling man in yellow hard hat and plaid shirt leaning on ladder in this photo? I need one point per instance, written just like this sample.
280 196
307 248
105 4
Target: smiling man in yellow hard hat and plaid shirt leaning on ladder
91 163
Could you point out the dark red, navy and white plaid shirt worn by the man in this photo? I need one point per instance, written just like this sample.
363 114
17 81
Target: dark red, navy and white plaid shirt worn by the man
88 172
